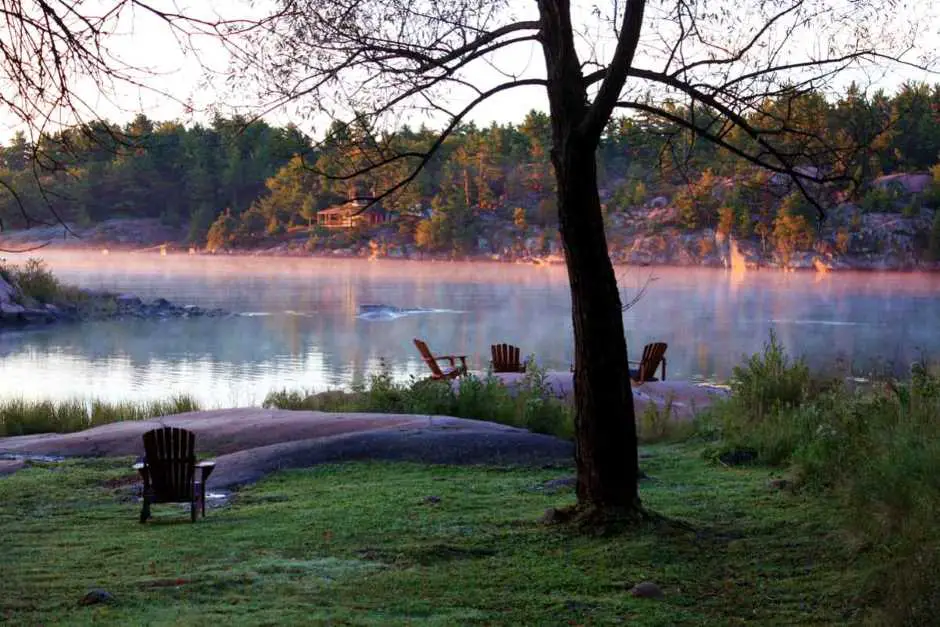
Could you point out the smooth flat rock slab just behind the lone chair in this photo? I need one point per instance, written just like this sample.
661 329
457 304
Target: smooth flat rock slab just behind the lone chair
249 443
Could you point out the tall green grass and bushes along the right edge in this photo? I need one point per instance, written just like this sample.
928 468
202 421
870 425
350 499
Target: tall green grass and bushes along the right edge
875 449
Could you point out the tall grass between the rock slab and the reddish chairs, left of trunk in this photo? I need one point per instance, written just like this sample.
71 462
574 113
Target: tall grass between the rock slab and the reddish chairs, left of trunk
530 404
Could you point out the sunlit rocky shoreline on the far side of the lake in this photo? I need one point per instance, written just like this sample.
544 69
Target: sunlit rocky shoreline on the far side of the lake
851 240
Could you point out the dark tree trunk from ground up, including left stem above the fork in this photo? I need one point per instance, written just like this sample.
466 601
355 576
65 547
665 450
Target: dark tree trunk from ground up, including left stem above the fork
605 426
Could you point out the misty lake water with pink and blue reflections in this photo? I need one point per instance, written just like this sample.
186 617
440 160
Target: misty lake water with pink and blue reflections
299 323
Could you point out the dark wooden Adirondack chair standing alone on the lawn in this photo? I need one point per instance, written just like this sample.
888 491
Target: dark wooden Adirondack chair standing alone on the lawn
169 471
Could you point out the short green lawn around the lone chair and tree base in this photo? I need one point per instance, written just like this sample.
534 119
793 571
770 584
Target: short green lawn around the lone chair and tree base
361 544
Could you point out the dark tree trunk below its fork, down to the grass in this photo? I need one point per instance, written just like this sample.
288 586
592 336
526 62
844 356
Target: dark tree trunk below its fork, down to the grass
605 426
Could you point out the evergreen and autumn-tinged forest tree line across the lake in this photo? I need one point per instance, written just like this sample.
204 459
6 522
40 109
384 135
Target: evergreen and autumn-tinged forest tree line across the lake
254 179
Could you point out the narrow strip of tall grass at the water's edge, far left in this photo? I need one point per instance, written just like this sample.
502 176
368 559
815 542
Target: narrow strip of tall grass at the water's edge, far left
21 417
